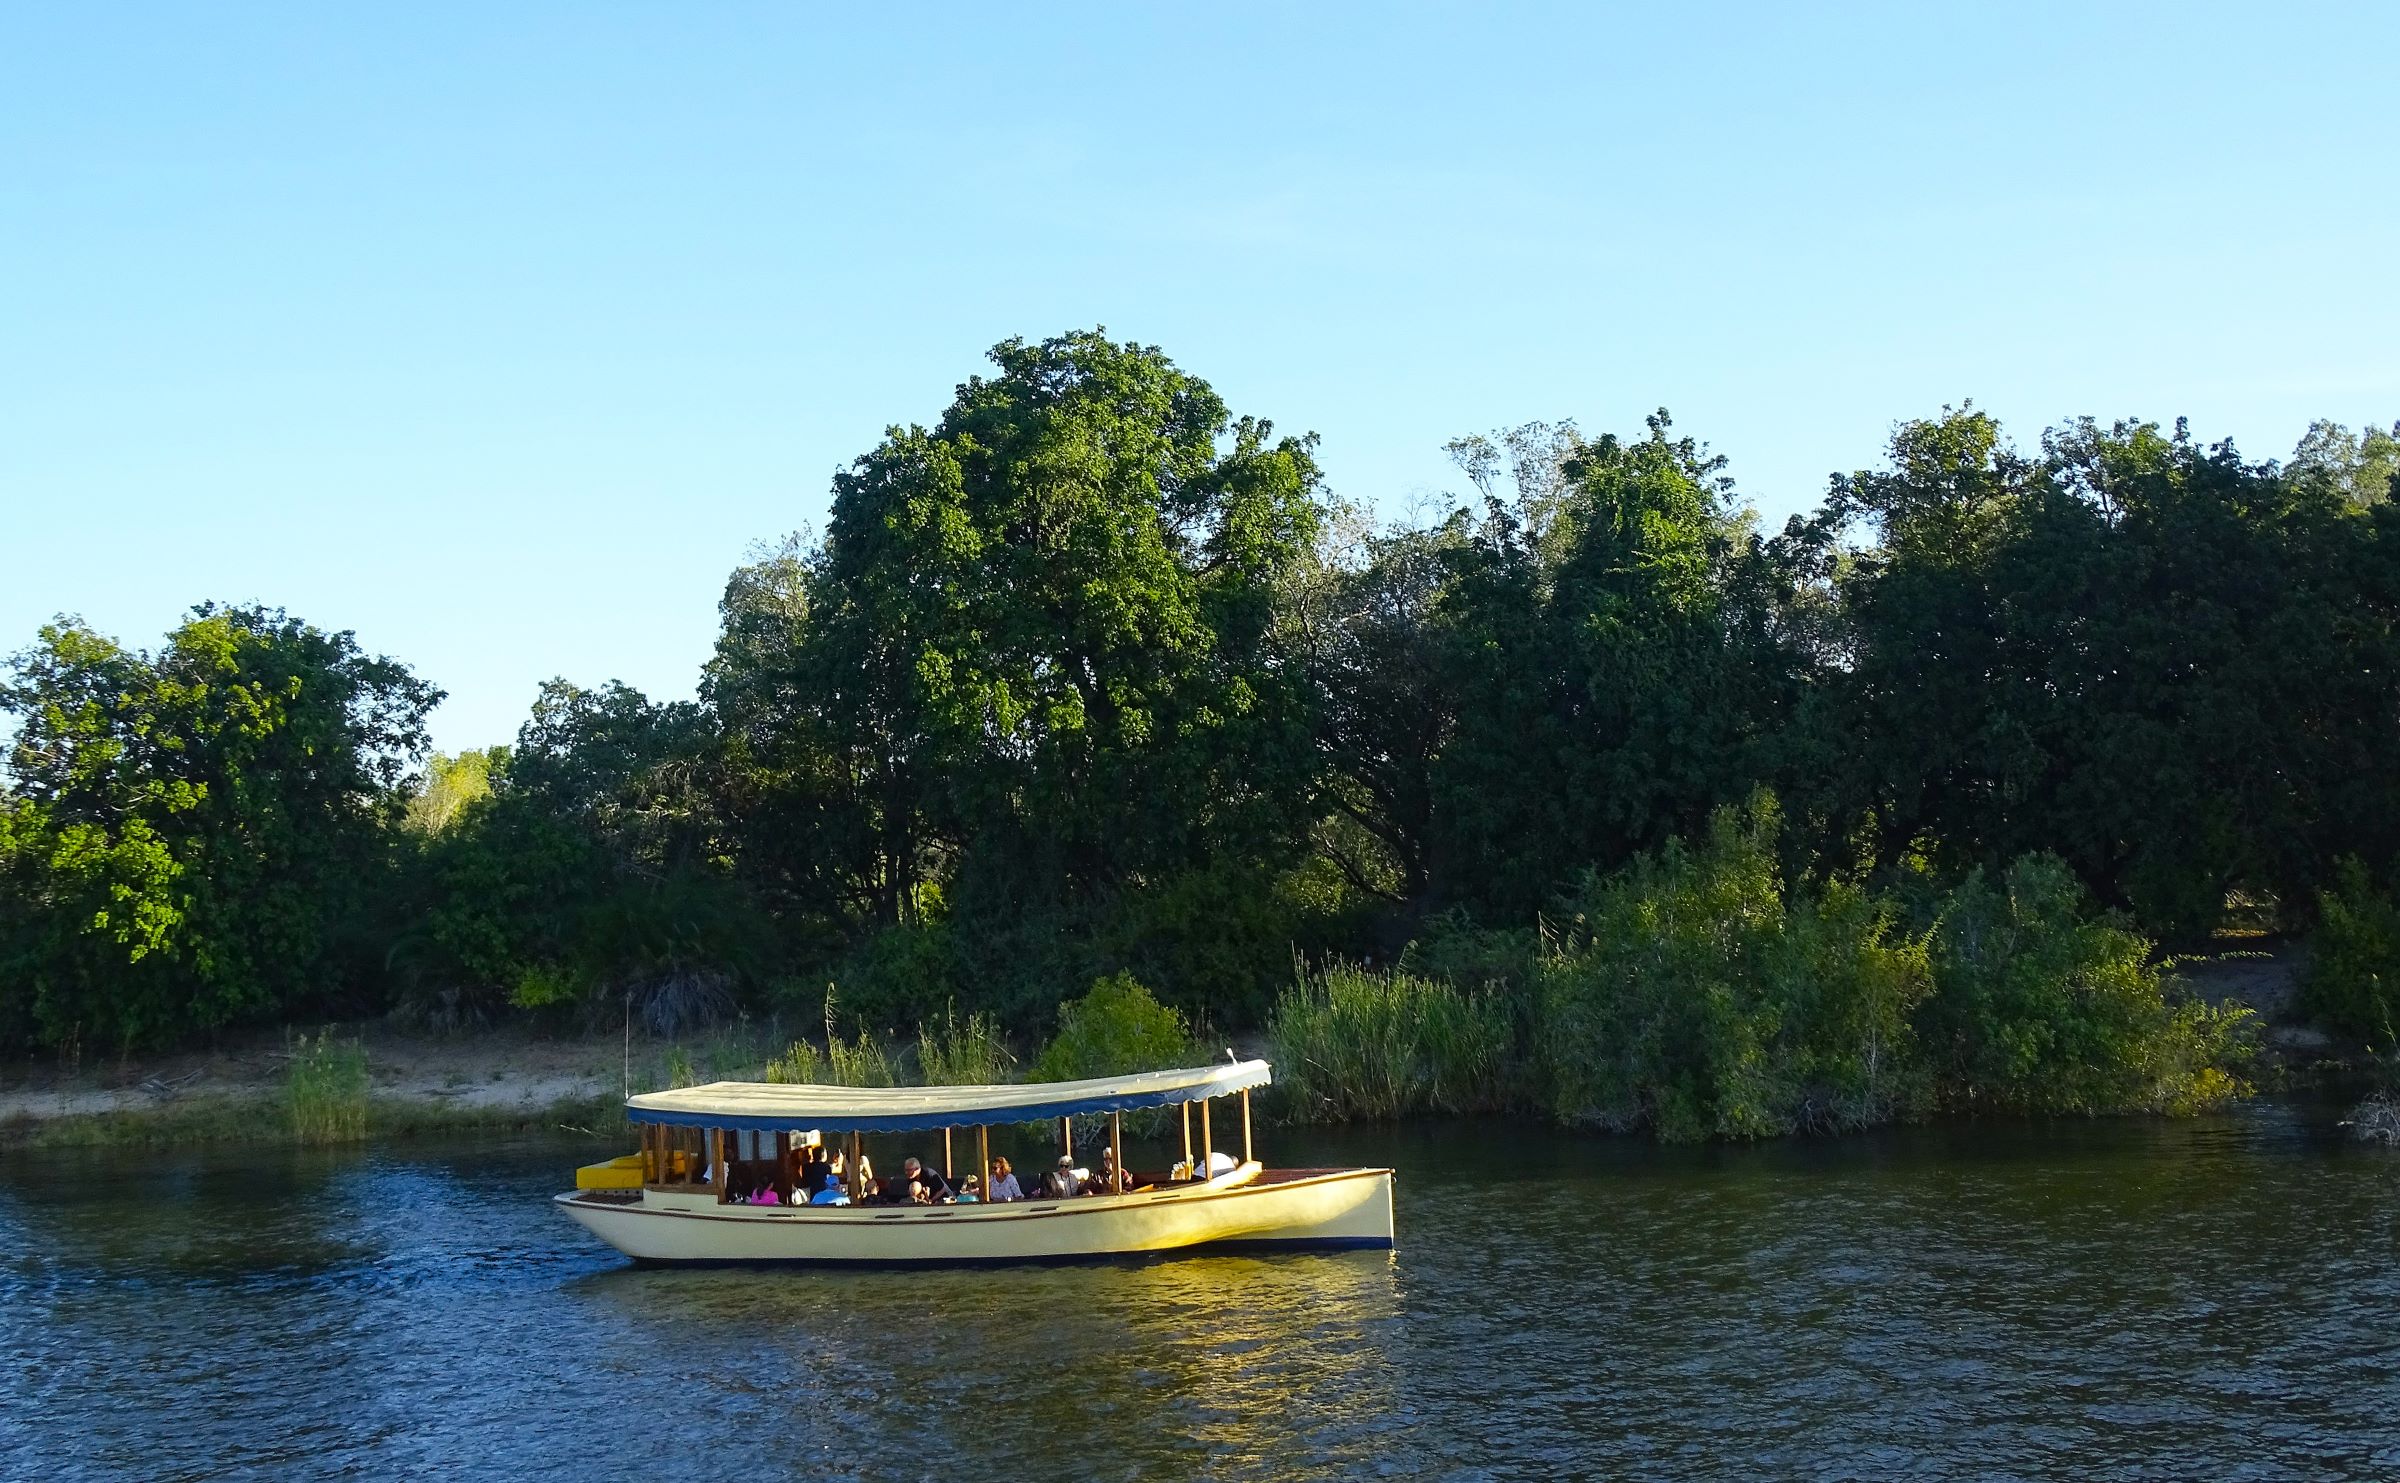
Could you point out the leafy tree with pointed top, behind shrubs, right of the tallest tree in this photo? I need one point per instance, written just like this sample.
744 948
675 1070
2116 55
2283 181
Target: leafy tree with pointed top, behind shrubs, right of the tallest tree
1626 661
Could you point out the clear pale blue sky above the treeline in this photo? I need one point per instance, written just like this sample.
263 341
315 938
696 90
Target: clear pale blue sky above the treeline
500 332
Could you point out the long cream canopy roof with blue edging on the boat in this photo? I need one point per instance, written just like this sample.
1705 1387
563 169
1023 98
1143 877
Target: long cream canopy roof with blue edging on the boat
908 1110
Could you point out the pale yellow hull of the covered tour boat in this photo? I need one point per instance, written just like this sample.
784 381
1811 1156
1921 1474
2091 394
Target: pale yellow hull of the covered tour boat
1247 1208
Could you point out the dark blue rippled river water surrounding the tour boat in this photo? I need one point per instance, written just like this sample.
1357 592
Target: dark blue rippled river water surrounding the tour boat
2063 1302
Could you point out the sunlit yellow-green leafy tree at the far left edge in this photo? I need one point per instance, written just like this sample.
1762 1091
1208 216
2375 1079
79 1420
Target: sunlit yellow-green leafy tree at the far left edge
196 836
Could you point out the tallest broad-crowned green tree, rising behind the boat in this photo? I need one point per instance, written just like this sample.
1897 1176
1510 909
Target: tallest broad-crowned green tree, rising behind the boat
1036 673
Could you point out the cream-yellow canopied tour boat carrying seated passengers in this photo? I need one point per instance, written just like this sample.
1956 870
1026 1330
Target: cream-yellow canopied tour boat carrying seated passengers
678 1201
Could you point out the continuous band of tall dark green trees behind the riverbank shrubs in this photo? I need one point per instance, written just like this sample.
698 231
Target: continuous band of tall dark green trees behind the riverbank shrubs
1096 678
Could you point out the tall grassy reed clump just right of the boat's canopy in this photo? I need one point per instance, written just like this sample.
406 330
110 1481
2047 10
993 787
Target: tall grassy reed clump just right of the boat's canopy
1352 1043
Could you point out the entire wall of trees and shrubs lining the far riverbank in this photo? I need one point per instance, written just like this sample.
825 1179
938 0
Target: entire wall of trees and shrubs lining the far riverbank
1098 728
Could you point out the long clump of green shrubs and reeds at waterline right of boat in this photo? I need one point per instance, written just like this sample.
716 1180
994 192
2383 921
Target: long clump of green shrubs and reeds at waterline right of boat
1700 995
